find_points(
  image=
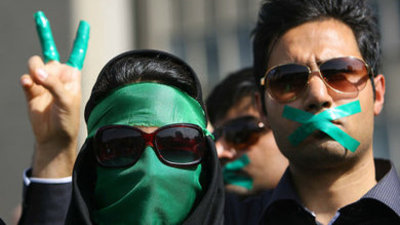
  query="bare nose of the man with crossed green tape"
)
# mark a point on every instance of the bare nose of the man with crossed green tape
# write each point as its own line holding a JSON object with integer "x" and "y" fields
{"x": 317, "y": 95}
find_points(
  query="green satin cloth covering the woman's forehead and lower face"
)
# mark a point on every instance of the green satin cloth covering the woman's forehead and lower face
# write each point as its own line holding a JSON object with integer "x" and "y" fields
{"x": 149, "y": 192}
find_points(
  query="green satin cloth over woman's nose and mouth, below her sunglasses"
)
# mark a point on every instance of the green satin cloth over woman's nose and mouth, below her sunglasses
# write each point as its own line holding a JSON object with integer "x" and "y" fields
{"x": 149, "y": 192}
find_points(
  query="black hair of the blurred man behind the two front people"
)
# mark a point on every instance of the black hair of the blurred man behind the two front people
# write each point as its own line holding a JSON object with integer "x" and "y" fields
{"x": 228, "y": 92}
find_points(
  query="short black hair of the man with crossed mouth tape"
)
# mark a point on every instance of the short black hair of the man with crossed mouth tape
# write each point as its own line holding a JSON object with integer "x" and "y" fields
{"x": 276, "y": 17}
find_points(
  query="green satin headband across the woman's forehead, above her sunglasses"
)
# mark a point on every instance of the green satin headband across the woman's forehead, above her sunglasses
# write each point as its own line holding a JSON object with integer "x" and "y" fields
{"x": 146, "y": 104}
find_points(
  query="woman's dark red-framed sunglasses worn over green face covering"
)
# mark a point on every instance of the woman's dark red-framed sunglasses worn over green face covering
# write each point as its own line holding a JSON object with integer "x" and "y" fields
{"x": 179, "y": 145}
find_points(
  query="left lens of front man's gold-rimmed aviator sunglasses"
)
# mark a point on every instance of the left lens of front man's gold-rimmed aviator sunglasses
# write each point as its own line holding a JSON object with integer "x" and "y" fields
{"x": 286, "y": 82}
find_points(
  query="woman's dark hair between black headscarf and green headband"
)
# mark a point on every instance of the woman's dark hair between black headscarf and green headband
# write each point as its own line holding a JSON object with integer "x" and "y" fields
{"x": 144, "y": 65}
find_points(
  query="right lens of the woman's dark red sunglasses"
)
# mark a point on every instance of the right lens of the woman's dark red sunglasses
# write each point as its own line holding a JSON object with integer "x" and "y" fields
{"x": 181, "y": 145}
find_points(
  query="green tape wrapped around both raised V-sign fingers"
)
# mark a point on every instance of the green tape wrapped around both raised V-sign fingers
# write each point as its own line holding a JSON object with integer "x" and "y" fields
{"x": 49, "y": 48}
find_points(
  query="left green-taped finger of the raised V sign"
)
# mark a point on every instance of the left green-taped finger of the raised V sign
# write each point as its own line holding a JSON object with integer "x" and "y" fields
{"x": 46, "y": 37}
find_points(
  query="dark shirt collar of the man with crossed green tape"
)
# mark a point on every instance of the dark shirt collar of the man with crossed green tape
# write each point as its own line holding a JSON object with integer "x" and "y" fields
{"x": 387, "y": 190}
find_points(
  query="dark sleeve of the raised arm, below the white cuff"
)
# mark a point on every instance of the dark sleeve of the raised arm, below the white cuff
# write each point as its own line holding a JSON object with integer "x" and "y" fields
{"x": 45, "y": 204}
